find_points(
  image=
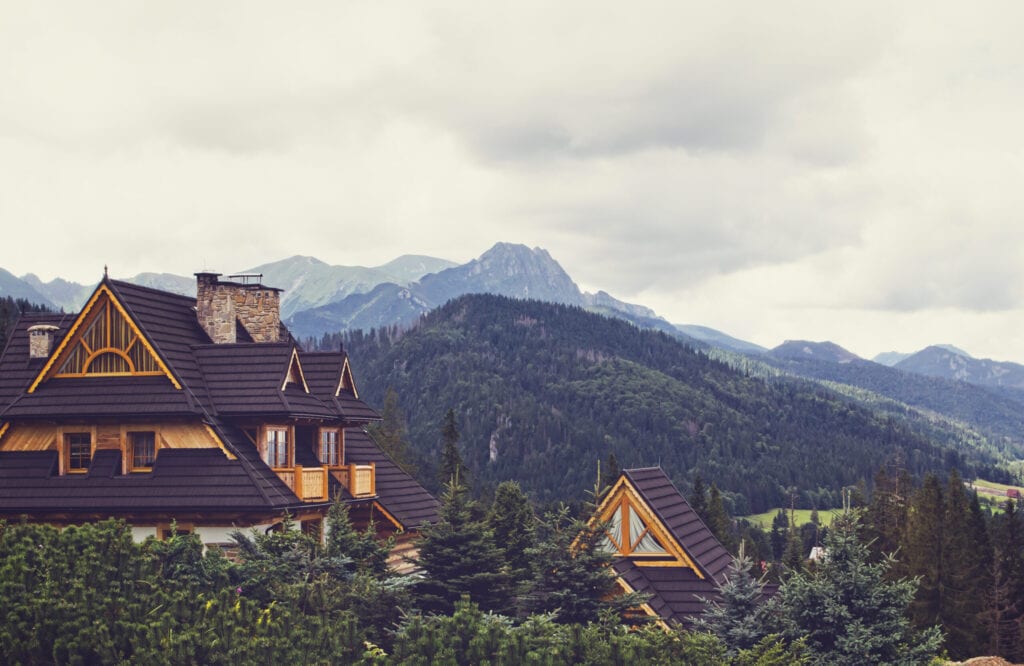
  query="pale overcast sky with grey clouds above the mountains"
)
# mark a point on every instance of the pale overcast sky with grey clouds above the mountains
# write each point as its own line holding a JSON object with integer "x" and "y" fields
{"x": 777, "y": 171}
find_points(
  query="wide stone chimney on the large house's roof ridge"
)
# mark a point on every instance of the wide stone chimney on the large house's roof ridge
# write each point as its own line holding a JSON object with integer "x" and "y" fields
{"x": 221, "y": 305}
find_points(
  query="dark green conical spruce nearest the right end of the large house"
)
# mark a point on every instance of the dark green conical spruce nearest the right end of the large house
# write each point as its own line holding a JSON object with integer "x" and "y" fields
{"x": 459, "y": 559}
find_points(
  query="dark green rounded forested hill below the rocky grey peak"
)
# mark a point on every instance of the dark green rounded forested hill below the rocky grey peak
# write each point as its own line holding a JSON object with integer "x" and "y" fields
{"x": 543, "y": 392}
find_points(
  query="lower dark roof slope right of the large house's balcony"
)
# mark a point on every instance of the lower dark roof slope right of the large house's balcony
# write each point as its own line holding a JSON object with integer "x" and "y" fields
{"x": 399, "y": 493}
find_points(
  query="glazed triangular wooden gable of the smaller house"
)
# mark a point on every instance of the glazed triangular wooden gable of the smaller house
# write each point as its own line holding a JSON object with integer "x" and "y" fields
{"x": 636, "y": 532}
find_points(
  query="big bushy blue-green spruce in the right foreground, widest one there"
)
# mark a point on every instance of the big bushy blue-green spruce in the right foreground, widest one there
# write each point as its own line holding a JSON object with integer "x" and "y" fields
{"x": 847, "y": 610}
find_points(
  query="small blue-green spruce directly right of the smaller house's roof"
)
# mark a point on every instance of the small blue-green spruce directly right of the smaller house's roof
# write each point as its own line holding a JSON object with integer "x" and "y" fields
{"x": 740, "y": 618}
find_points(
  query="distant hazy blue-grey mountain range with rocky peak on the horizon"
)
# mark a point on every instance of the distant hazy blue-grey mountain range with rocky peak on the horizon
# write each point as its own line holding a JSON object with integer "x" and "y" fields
{"x": 320, "y": 299}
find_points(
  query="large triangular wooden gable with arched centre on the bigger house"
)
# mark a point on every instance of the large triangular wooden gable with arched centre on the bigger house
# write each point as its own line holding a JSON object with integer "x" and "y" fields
{"x": 104, "y": 342}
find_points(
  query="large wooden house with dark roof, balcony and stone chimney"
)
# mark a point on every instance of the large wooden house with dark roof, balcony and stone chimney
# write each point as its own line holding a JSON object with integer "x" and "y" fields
{"x": 156, "y": 408}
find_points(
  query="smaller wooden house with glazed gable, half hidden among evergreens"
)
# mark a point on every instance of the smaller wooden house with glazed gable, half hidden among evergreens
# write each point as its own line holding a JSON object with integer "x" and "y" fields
{"x": 662, "y": 547}
